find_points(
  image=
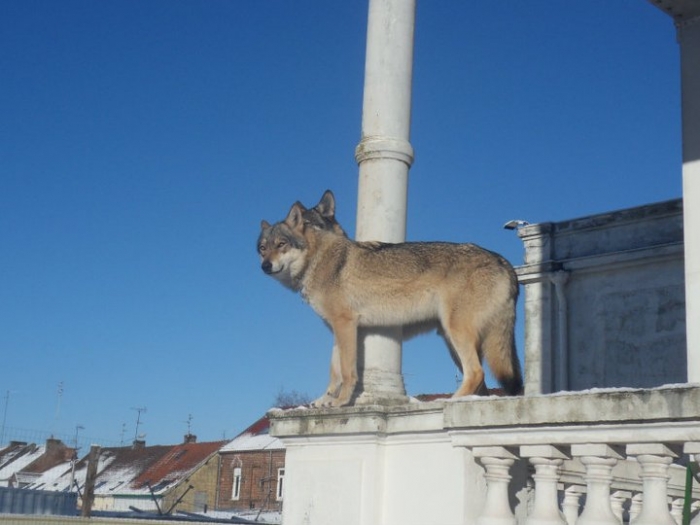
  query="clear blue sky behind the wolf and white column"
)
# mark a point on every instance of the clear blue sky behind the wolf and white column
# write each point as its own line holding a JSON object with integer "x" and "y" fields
{"x": 142, "y": 141}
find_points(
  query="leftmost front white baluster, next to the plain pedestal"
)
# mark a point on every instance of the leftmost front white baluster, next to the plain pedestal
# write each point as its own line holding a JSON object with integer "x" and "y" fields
{"x": 497, "y": 462}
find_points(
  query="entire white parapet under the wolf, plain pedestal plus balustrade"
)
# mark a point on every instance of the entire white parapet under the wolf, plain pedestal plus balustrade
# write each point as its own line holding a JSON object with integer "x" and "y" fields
{"x": 599, "y": 457}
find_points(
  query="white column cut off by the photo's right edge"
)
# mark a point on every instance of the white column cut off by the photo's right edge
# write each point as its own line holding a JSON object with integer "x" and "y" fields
{"x": 689, "y": 40}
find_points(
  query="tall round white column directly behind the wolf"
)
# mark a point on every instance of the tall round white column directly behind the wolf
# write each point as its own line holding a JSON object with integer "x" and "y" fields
{"x": 385, "y": 155}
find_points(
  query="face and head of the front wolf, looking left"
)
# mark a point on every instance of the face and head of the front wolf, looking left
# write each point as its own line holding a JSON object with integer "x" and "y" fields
{"x": 282, "y": 247}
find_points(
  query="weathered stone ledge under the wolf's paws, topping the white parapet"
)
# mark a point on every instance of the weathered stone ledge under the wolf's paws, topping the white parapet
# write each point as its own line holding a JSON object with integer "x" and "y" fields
{"x": 659, "y": 407}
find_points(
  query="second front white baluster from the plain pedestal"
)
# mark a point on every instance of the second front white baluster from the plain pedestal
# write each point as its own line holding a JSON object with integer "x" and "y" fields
{"x": 547, "y": 461}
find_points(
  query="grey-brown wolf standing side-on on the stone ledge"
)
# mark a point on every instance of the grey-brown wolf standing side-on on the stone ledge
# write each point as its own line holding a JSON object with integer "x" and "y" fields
{"x": 466, "y": 292}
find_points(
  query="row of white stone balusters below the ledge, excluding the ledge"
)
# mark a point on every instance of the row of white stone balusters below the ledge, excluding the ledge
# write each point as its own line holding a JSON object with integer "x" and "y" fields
{"x": 593, "y": 501}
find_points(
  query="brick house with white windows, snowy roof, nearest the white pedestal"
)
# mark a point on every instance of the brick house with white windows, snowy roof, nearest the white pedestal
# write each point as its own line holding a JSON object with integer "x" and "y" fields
{"x": 252, "y": 470}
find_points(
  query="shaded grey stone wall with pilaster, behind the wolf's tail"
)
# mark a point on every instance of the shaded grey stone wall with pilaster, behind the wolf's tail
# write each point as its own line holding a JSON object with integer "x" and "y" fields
{"x": 605, "y": 300}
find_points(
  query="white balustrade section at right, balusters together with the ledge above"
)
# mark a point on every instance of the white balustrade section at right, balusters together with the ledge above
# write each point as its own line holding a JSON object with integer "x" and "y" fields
{"x": 616, "y": 458}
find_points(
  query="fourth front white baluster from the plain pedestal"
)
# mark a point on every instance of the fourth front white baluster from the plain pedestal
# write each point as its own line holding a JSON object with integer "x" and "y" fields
{"x": 654, "y": 459}
